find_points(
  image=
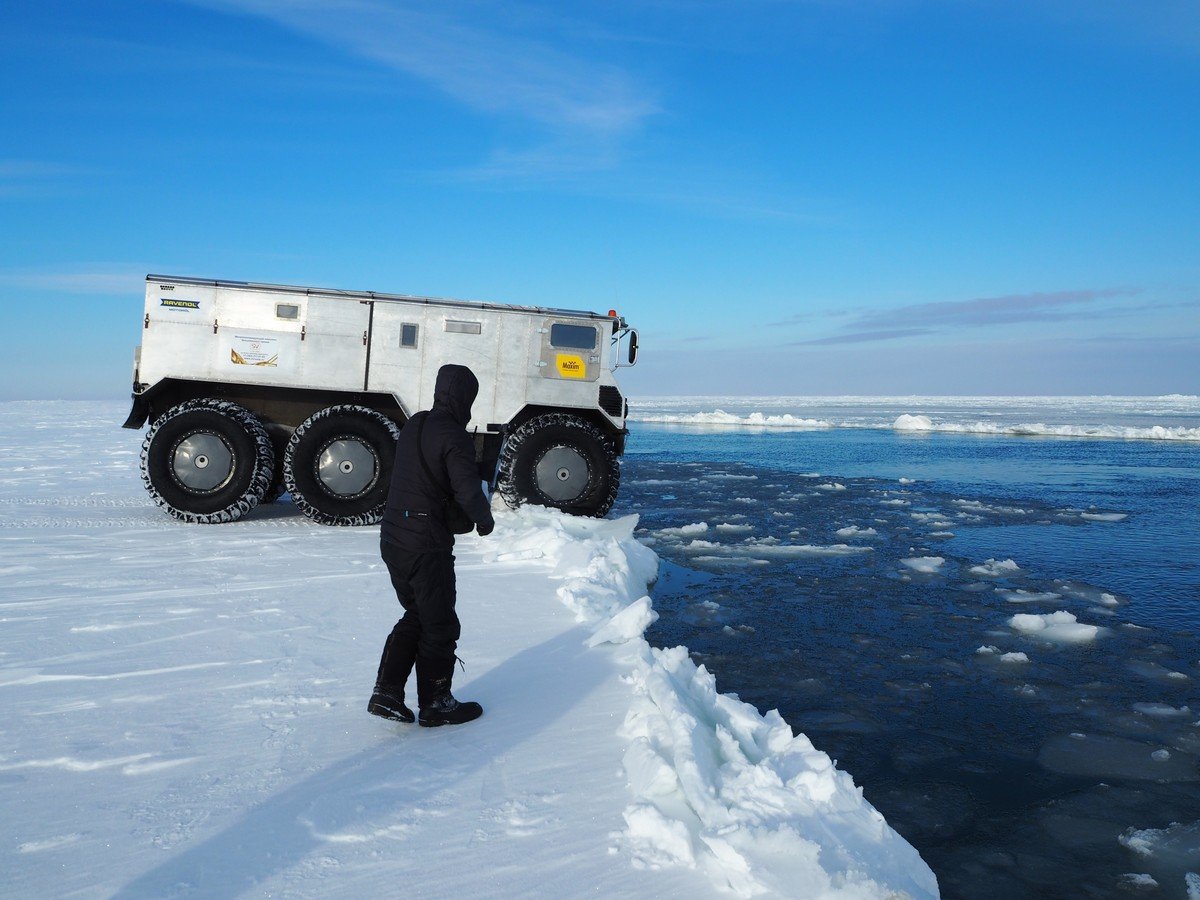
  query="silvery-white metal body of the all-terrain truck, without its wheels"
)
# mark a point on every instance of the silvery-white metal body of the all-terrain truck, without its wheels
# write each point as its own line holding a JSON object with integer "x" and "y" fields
{"x": 321, "y": 340}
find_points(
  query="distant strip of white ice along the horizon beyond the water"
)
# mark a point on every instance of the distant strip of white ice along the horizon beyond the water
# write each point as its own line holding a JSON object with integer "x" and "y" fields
{"x": 1174, "y": 417}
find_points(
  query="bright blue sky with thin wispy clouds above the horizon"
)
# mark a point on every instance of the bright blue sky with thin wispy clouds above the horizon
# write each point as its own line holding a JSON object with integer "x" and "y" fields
{"x": 785, "y": 197}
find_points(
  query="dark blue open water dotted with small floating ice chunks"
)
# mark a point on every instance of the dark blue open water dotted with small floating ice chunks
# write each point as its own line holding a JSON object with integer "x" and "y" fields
{"x": 1013, "y": 778}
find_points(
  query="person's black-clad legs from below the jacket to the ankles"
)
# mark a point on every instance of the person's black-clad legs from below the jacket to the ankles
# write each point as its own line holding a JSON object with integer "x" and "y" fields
{"x": 428, "y": 634}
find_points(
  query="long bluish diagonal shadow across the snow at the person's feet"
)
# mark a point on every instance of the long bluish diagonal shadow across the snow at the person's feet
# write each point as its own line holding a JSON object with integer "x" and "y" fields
{"x": 523, "y": 695}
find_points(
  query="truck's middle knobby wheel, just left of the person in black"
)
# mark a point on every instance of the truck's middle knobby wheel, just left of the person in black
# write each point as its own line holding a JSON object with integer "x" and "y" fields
{"x": 338, "y": 465}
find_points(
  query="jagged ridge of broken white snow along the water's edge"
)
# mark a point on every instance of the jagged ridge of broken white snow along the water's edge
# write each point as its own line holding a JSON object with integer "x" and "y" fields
{"x": 717, "y": 785}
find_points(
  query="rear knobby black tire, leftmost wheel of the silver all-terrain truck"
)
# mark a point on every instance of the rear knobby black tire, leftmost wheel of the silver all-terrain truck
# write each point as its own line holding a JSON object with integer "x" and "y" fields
{"x": 208, "y": 461}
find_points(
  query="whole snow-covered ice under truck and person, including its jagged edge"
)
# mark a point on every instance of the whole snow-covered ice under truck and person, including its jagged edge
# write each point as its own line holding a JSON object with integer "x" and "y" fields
{"x": 184, "y": 713}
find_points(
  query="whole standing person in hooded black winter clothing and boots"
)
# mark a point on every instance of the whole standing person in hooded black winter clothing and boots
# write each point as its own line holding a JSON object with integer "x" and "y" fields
{"x": 417, "y": 545}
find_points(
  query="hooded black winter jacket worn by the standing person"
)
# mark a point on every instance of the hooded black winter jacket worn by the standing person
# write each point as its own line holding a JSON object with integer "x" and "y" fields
{"x": 451, "y": 455}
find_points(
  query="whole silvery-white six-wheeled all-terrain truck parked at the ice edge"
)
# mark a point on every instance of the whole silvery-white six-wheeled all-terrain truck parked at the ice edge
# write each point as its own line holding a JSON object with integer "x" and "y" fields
{"x": 251, "y": 391}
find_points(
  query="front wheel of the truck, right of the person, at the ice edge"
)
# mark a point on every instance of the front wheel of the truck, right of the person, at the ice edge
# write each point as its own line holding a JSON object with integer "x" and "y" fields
{"x": 562, "y": 461}
